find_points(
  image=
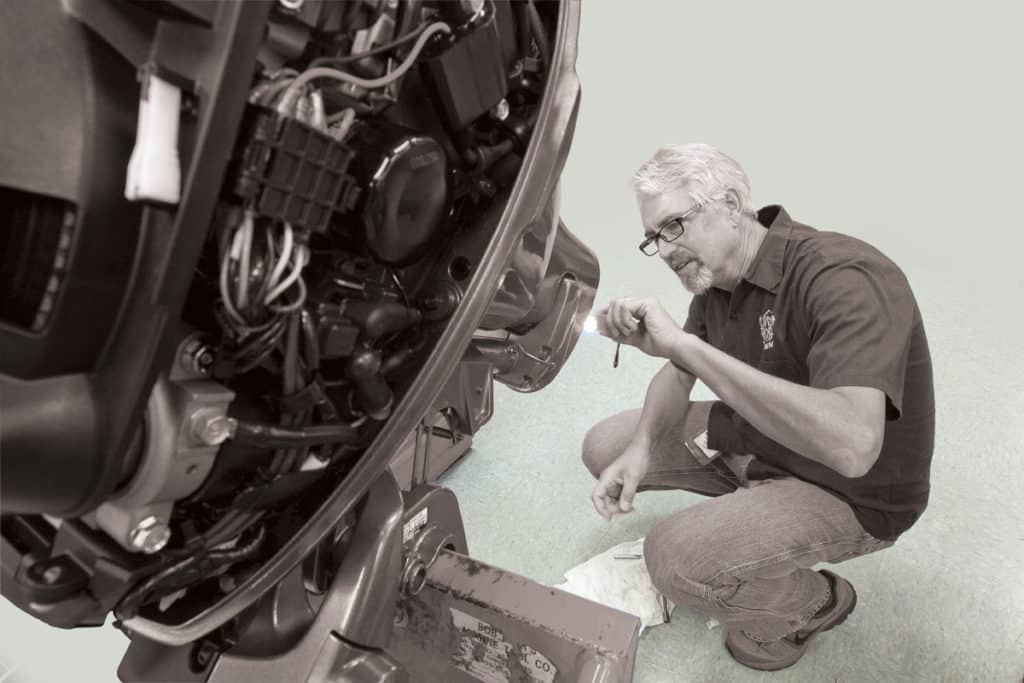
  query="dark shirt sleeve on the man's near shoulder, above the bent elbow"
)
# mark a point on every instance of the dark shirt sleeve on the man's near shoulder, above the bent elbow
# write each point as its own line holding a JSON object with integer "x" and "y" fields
{"x": 861, "y": 316}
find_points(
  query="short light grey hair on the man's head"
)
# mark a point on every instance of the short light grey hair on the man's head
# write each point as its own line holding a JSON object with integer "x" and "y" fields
{"x": 708, "y": 172}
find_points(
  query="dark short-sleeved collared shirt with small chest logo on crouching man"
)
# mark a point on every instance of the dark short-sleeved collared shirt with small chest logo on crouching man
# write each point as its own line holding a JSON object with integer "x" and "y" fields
{"x": 825, "y": 310}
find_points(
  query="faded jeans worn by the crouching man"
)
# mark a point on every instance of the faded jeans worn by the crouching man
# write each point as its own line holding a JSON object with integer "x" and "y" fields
{"x": 745, "y": 557}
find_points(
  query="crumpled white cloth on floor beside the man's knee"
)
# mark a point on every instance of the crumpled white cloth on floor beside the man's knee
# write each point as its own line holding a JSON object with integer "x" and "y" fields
{"x": 618, "y": 578}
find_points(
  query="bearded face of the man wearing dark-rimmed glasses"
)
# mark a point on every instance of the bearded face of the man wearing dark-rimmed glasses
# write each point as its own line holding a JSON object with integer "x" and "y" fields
{"x": 699, "y": 255}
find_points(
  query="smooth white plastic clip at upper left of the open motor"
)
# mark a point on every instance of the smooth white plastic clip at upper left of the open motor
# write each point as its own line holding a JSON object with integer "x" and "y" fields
{"x": 155, "y": 170}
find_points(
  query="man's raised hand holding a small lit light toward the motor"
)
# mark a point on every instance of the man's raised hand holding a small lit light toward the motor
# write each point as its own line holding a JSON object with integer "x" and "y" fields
{"x": 641, "y": 323}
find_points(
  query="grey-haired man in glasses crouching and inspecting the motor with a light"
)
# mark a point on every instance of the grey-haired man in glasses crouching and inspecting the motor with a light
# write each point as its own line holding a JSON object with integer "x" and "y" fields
{"x": 821, "y": 447}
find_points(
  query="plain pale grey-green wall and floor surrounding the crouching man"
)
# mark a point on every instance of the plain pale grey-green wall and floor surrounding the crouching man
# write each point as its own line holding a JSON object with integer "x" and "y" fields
{"x": 898, "y": 123}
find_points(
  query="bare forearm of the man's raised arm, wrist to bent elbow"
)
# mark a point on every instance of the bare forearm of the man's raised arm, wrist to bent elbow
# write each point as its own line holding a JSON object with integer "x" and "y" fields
{"x": 842, "y": 429}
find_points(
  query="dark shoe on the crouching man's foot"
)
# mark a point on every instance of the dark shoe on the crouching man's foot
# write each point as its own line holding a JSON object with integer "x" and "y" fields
{"x": 786, "y": 652}
